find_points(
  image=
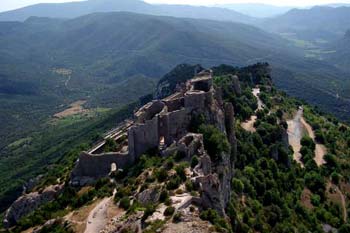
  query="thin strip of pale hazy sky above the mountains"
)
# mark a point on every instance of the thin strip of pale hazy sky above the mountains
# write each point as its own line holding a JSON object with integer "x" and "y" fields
{"x": 13, "y": 4}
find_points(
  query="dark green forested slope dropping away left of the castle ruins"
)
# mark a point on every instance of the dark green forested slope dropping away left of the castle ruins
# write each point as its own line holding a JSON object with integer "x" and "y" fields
{"x": 53, "y": 152}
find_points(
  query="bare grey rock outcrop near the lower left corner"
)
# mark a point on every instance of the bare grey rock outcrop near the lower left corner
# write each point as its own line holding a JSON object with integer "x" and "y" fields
{"x": 28, "y": 203}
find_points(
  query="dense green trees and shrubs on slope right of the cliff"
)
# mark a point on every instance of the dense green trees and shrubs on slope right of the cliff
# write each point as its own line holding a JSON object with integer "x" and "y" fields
{"x": 268, "y": 184}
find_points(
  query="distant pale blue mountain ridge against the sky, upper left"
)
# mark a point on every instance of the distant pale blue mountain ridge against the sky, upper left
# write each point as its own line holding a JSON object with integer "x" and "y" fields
{"x": 76, "y": 9}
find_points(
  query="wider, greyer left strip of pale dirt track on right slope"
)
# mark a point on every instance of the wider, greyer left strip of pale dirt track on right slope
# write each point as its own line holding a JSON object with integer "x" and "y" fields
{"x": 295, "y": 133}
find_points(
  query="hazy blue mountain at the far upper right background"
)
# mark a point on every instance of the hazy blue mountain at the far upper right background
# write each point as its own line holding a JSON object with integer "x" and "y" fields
{"x": 317, "y": 23}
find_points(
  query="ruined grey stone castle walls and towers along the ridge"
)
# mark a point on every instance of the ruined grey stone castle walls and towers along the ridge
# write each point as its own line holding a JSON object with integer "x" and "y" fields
{"x": 158, "y": 124}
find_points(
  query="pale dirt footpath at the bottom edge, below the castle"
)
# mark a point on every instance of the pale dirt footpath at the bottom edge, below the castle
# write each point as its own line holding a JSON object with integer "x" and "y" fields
{"x": 98, "y": 217}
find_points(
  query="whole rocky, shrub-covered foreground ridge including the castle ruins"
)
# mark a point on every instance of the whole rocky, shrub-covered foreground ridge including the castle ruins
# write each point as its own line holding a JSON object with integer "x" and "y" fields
{"x": 242, "y": 157}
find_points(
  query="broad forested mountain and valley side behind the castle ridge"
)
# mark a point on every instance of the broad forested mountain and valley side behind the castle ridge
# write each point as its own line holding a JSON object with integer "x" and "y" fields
{"x": 106, "y": 60}
